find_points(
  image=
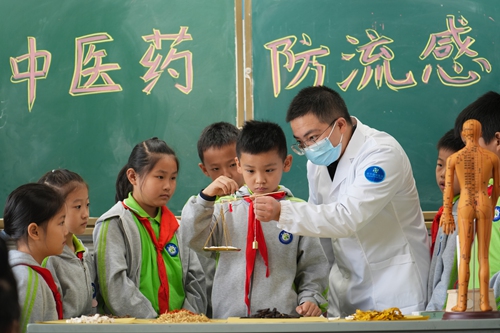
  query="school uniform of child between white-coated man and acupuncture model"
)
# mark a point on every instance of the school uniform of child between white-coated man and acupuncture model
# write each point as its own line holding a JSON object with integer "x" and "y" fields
{"x": 443, "y": 272}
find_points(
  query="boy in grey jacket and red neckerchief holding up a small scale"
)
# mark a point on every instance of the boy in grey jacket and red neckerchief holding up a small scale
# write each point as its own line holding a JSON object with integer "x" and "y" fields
{"x": 274, "y": 268}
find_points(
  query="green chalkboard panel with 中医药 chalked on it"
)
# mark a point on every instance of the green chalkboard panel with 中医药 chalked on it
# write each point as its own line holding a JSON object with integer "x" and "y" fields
{"x": 81, "y": 82}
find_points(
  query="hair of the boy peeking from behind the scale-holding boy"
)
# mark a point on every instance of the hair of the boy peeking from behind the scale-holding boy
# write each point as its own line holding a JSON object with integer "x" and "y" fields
{"x": 216, "y": 135}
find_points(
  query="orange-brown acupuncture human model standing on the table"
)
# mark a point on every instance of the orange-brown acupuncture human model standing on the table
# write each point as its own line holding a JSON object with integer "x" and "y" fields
{"x": 474, "y": 166}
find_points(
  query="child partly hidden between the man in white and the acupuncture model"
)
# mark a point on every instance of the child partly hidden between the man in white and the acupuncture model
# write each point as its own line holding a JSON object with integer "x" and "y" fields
{"x": 443, "y": 271}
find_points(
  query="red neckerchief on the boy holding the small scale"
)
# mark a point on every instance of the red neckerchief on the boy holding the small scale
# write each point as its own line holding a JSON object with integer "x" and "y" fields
{"x": 251, "y": 253}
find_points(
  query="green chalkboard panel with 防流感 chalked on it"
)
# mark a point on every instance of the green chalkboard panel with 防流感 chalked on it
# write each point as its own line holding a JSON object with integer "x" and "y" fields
{"x": 428, "y": 60}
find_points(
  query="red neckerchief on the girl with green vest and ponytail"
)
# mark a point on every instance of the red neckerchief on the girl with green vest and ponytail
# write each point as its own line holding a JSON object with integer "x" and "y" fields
{"x": 168, "y": 226}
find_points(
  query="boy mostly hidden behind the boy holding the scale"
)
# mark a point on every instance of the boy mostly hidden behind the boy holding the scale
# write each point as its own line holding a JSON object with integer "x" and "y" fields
{"x": 217, "y": 152}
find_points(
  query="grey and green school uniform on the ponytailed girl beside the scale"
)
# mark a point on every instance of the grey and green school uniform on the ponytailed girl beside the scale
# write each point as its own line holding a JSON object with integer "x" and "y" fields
{"x": 127, "y": 266}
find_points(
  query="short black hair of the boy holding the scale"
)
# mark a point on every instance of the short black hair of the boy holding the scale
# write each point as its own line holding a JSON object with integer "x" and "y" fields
{"x": 258, "y": 137}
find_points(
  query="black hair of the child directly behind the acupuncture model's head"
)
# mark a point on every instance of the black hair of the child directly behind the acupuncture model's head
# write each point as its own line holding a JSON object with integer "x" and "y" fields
{"x": 485, "y": 109}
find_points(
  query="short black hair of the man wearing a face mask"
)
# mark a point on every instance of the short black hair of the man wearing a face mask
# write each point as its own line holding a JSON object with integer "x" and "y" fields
{"x": 323, "y": 102}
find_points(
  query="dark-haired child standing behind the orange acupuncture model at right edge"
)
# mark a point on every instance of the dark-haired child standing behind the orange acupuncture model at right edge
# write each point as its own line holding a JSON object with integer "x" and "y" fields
{"x": 486, "y": 109}
